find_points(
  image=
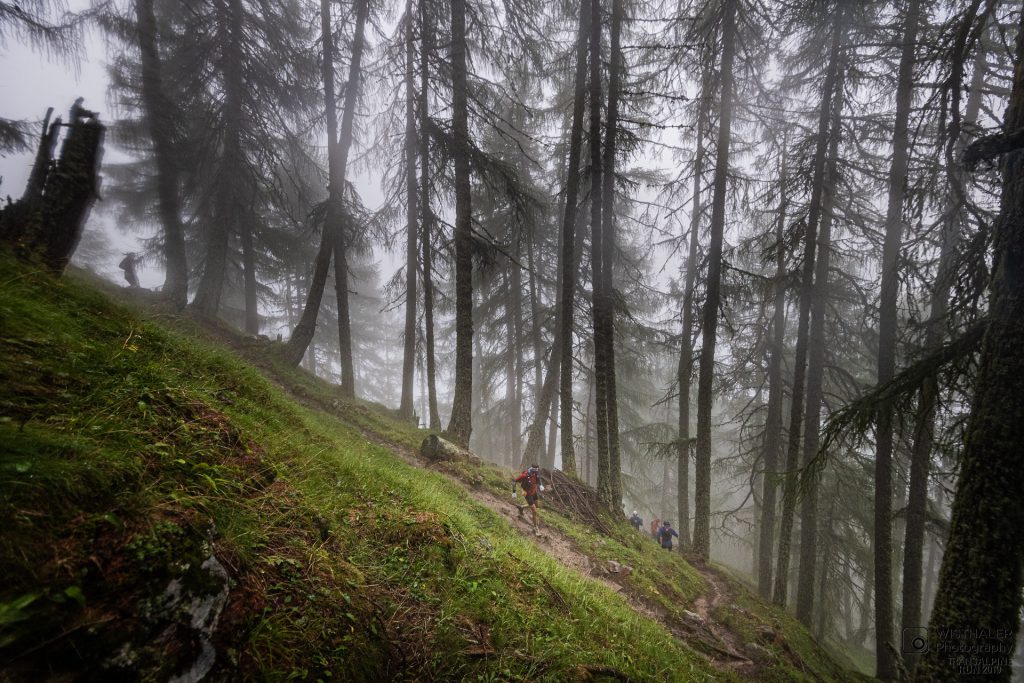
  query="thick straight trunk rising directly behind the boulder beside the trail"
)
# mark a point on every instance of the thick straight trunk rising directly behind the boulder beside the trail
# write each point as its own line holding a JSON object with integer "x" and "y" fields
{"x": 461, "y": 424}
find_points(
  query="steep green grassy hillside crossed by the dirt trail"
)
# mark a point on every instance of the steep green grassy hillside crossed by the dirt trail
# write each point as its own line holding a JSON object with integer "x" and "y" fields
{"x": 173, "y": 510}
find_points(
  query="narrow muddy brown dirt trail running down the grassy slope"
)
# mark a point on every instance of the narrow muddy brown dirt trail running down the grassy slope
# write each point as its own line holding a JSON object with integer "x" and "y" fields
{"x": 701, "y": 629}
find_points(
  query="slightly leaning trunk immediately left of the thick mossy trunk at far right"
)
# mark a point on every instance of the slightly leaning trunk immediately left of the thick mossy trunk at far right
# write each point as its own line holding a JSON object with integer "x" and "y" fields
{"x": 924, "y": 431}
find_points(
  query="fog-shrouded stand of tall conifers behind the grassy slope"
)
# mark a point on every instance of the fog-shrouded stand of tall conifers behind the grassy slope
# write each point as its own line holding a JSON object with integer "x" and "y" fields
{"x": 752, "y": 267}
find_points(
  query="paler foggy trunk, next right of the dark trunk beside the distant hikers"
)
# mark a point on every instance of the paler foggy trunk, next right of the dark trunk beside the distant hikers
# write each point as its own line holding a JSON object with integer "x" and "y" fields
{"x": 777, "y": 396}
